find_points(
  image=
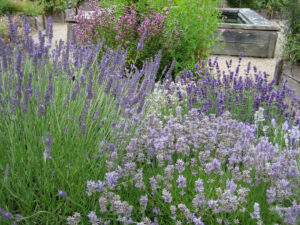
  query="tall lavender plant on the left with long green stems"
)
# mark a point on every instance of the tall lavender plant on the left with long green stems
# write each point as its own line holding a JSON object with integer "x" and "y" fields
{"x": 57, "y": 104}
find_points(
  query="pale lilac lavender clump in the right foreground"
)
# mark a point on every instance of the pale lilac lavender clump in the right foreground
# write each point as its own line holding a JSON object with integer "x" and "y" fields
{"x": 220, "y": 148}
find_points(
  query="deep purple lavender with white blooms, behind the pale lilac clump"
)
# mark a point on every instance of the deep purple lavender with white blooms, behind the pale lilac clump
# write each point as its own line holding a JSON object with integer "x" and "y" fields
{"x": 242, "y": 93}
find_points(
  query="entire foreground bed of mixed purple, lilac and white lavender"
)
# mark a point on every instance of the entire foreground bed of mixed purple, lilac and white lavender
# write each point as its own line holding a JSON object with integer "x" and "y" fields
{"x": 79, "y": 145}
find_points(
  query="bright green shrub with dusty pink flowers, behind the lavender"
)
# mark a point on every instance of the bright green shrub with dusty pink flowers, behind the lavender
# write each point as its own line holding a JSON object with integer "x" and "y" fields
{"x": 183, "y": 30}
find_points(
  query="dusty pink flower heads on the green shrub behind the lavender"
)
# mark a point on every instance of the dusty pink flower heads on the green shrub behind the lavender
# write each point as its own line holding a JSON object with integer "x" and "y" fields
{"x": 125, "y": 29}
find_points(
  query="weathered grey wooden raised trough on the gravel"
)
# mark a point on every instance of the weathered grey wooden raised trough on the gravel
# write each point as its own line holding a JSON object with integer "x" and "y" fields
{"x": 256, "y": 38}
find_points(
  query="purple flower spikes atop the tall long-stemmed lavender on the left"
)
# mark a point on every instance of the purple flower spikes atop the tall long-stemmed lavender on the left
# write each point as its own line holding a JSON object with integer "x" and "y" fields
{"x": 69, "y": 61}
